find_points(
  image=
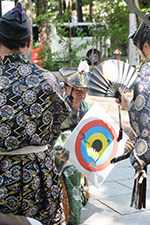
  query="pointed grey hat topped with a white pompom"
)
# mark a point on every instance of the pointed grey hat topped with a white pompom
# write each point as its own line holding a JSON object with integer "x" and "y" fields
{"x": 76, "y": 77}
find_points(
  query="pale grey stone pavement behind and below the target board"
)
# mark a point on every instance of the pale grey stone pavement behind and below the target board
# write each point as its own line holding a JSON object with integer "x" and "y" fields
{"x": 110, "y": 204}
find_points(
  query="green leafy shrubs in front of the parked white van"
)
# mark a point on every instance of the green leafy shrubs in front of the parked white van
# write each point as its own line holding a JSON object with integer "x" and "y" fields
{"x": 68, "y": 56}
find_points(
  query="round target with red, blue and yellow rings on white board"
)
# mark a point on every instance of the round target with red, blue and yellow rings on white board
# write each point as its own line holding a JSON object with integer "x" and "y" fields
{"x": 95, "y": 145}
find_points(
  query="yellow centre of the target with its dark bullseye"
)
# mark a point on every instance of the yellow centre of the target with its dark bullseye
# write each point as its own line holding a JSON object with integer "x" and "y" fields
{"x": 96, "y": 145}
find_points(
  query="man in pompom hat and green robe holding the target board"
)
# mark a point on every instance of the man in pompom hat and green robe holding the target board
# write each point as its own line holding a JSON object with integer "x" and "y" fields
{"x": 75, "y": 88}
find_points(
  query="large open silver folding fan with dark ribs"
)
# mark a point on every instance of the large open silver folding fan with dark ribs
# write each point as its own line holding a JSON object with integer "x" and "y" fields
{"x": 109, "y": 75}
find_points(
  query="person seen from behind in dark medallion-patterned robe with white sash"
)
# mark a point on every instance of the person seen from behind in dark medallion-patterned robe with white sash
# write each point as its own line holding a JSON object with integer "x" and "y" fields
{"x": 31, "y": 113}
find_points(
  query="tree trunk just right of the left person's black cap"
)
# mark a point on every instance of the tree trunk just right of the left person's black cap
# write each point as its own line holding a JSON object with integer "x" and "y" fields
{"x": 43, "y": 24}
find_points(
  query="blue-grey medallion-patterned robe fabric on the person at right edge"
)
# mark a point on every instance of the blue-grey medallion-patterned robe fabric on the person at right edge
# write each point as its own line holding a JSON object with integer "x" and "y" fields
{"x": 139, "y": 113}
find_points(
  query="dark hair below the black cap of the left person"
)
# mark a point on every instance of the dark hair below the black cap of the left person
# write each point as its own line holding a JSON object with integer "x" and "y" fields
{"x": 14, "y": 44}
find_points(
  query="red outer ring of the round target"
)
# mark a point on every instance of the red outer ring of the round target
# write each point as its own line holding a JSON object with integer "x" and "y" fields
{"x": 78, "y": 153}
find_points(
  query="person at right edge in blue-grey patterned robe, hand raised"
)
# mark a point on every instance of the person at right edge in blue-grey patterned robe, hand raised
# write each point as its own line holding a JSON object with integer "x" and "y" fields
{"x": 139, "y": 114}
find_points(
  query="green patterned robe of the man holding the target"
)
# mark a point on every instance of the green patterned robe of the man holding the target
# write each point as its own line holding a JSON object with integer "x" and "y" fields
{"x": 71, "y": 176}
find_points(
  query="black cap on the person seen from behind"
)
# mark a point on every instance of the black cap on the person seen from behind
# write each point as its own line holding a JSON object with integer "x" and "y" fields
{"x": 14, "y": 24}
